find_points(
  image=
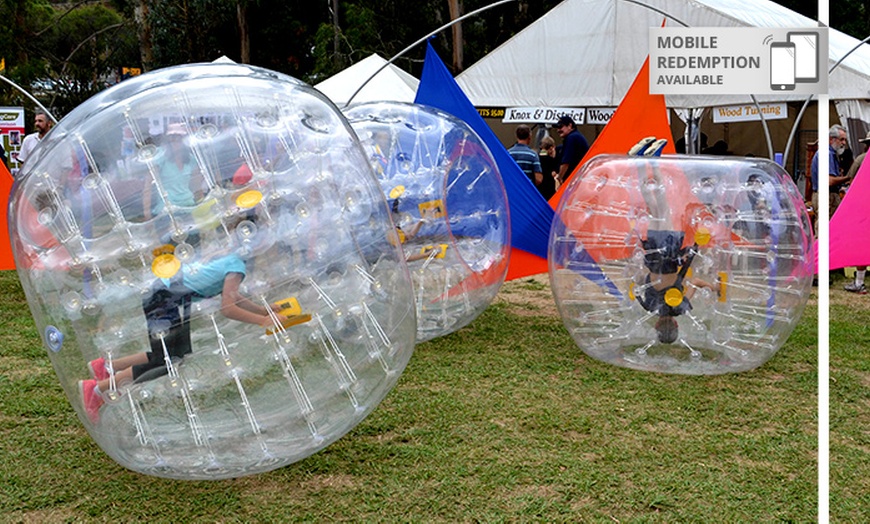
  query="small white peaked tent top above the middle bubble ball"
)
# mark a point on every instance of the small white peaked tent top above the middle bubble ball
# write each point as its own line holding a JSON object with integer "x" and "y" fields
{"x": 391, "y": 83}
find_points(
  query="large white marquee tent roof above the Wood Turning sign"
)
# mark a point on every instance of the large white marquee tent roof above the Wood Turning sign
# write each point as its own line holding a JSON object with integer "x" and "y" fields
{"x": 586, "y": 53}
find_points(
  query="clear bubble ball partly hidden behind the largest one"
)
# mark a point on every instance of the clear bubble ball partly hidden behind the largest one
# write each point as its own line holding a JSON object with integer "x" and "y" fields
{"x": 449, "y": 205}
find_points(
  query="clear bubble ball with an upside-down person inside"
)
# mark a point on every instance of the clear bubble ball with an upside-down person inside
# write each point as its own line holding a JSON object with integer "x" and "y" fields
{"x": 681, "y": 264}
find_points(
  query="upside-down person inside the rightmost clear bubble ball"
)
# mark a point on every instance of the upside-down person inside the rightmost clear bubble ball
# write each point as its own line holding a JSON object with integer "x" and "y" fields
{"x": 667, "y": 290}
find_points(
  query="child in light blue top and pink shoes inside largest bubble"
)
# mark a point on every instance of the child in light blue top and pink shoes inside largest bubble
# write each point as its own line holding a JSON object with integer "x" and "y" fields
{"x": 167, "y": 314}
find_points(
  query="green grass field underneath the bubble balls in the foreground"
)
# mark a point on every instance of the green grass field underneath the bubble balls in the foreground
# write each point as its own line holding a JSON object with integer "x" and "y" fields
{"x": 503, "y": 421}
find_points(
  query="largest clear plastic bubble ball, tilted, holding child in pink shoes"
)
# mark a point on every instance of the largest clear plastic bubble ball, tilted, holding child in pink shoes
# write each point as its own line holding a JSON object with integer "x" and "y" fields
{"x": 149, "y": 183}
